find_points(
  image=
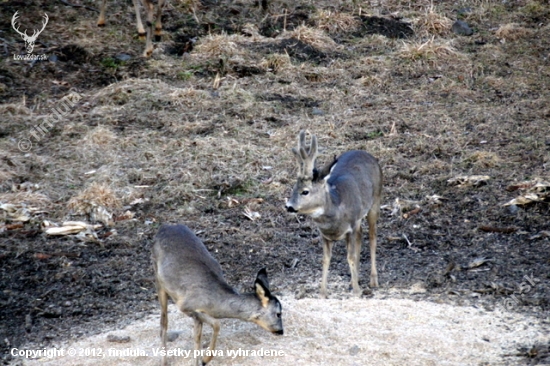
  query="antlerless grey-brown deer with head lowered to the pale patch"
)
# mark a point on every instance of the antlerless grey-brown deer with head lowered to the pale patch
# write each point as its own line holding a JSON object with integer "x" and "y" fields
{"x": 185, "y": 271}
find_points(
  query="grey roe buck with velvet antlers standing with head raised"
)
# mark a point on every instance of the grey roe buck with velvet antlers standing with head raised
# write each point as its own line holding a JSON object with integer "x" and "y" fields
{"x": 337, "y": 198}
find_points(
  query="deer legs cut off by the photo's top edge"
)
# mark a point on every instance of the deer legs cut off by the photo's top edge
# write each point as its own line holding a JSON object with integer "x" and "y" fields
{"x": 149, "y": 9}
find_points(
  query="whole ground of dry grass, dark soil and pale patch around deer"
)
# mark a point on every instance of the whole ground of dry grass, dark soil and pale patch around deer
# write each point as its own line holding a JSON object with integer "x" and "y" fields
{"x": 201, "y": 132}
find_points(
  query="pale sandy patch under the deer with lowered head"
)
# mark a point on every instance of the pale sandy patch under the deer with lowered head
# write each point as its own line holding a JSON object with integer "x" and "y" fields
{"x": 335, "y": 332}
